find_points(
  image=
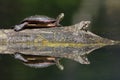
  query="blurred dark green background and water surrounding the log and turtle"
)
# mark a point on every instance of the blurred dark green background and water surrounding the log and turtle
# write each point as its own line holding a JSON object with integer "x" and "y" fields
{"x": 105, "y": 18}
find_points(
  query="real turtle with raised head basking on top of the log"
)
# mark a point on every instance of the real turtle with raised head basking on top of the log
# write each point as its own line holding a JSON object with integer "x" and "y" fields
{"x": 39, "y": 21}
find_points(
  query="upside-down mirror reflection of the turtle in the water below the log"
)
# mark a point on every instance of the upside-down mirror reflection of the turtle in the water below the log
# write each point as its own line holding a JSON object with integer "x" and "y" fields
{"x": 37, "y": 61}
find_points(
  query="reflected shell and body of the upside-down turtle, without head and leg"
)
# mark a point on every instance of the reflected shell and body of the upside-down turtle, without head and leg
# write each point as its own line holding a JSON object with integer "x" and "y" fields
{"x": 40, "y": 61}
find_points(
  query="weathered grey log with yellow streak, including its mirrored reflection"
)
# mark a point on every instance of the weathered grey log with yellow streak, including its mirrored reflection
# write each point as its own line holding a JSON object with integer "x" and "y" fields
{"x": 72, "y": 42}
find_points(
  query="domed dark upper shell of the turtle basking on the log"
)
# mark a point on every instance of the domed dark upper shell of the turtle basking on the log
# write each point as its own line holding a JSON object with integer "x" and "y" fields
{"x": 39, "y": 19}
